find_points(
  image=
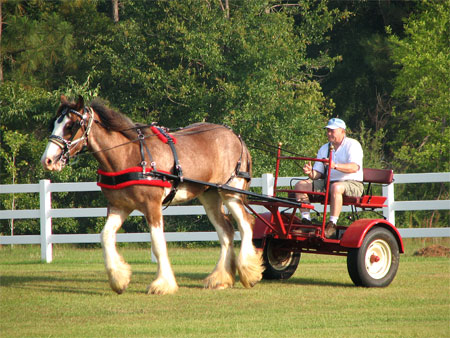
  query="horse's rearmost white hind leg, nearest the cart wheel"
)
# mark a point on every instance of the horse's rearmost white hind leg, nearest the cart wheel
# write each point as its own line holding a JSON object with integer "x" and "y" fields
{"x": 249, "y": 263}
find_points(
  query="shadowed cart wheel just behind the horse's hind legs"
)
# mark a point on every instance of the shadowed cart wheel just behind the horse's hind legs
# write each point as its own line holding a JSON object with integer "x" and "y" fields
{"x": 279, "y": 263}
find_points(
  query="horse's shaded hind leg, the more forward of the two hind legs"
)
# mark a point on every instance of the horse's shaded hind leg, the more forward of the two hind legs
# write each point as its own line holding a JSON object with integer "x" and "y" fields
{"x": 223, "y": 275}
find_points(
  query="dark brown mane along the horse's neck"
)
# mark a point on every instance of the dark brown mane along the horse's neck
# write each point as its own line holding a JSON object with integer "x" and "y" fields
{"x": 113, "y": 120}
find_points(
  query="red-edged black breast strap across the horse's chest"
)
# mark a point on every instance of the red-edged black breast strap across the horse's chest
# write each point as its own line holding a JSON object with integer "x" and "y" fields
{"x": 128, "y": 177}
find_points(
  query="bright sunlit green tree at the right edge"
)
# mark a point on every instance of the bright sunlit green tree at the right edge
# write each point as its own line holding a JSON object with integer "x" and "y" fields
{"x": 422, "y": 116}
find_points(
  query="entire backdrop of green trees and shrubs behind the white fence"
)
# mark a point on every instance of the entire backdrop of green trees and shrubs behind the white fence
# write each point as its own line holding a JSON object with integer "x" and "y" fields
{"x": 273, "y": 71}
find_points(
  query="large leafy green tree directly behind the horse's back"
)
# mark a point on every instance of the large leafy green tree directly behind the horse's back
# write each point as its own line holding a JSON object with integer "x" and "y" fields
{"x": 246, "y": 65}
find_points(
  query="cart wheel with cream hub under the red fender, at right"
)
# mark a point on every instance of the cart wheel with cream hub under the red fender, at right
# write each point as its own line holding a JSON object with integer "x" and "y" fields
{"x": 375, "y": 263}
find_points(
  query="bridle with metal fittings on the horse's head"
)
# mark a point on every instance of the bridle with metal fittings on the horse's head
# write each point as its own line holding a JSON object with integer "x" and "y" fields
{"x": 86, "y": 119}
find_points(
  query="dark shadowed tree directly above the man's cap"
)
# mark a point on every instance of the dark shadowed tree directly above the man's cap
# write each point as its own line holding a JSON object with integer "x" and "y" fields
{"x": 361, "y": 83}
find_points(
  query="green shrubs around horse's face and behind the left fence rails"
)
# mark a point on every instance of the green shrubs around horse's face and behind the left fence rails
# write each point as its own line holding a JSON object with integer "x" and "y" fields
{"x": 25, "y": 116}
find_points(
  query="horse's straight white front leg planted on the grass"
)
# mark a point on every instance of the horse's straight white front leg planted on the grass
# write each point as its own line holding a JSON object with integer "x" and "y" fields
{"x": 165, "y": 282}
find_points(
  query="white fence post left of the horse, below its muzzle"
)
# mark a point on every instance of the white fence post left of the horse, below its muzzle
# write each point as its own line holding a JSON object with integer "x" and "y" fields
{"x": 46, "y": 221}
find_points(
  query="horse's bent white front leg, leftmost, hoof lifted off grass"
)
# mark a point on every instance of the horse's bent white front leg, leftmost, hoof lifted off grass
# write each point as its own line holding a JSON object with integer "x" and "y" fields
{"x": 119, "y": 272}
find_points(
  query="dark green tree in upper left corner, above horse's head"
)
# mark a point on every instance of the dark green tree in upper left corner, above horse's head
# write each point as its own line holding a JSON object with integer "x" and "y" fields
{"x": 43, "y": 42}
